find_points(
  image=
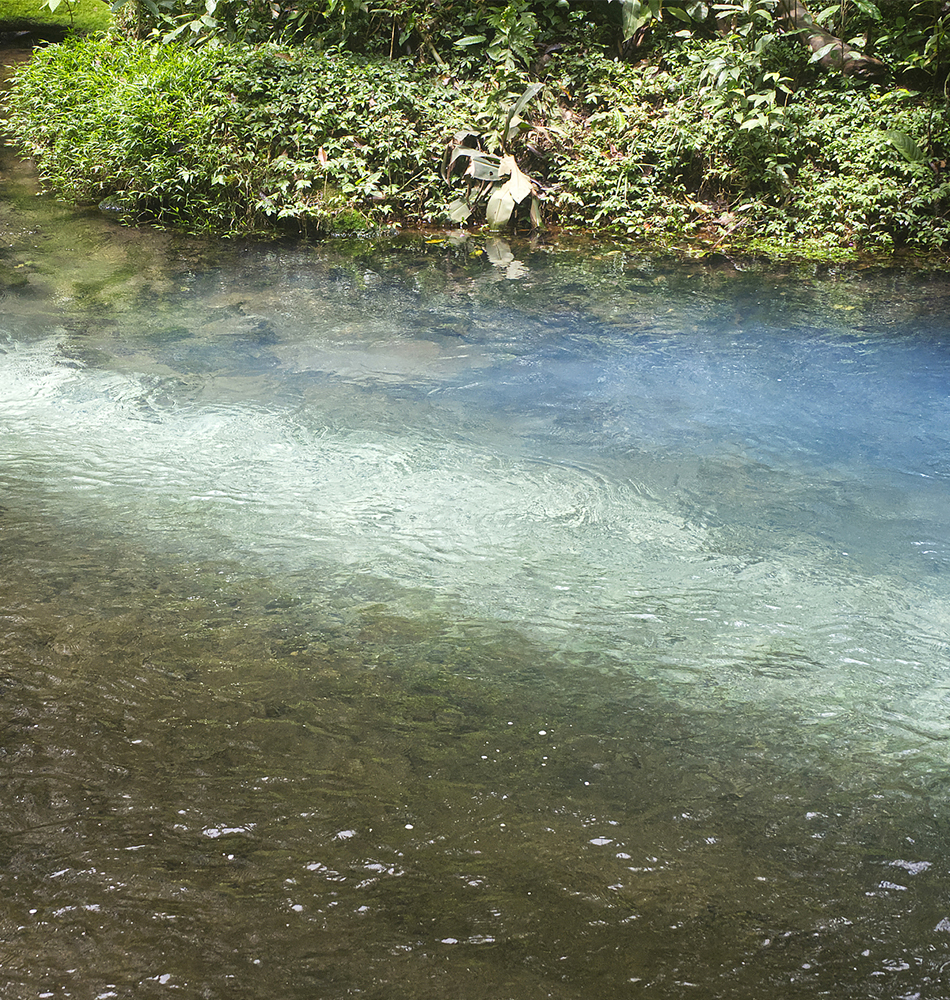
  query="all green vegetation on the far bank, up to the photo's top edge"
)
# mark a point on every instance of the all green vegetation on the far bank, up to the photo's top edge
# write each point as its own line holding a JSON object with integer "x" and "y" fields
{"x": 719, "y": 128}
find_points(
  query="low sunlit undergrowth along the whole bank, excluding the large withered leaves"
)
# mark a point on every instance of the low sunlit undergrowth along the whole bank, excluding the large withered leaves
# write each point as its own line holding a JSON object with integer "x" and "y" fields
{"x": 698, "y": 142}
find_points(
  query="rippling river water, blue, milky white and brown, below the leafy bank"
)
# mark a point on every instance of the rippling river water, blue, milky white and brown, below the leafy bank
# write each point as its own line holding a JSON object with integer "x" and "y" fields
{"x": 449, "y": 619}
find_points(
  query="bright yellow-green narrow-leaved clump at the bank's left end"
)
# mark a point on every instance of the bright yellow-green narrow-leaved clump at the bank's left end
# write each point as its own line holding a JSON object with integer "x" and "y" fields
{"x": 129, "y": 120}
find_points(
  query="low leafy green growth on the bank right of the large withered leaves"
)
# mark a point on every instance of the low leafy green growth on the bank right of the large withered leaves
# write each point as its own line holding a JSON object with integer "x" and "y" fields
{"x": 748, "y": 155}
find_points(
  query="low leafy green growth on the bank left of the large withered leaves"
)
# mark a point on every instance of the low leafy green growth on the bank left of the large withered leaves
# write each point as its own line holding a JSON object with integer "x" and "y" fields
{"x": 230, "y": 139}
